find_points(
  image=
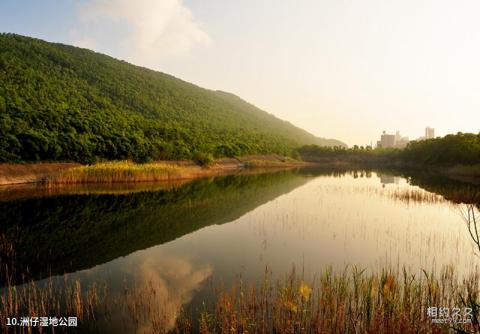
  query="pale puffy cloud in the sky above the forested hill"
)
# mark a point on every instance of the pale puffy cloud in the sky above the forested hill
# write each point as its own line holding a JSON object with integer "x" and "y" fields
{"x": 146, "y": 31}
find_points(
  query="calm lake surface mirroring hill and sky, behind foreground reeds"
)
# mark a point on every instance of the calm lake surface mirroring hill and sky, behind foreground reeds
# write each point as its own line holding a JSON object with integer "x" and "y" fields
{"x": 191, "y": 237}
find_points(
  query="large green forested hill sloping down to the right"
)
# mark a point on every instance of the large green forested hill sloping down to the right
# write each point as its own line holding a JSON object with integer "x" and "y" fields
{"x": 59, "y": 102}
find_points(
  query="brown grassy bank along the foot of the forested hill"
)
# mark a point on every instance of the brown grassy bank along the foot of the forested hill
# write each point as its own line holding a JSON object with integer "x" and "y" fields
{"x": 68, "y": 173}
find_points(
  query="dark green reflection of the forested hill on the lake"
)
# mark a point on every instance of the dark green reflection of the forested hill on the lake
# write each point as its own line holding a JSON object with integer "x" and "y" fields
{"x": 69, "y": 233}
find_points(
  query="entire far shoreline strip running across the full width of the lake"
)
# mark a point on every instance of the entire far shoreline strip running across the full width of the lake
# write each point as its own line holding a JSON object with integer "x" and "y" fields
{"x": 56, "y": 174}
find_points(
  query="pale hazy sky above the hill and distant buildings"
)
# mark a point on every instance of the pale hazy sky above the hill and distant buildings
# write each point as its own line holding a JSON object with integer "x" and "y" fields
{"x": 340, "y": 69}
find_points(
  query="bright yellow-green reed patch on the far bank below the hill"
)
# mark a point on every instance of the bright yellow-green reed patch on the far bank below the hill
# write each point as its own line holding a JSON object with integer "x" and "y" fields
{"x": 121, "y": 171}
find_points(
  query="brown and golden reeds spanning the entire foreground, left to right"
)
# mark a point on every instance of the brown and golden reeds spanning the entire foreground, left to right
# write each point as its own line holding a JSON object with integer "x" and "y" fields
{"x": 351, "y": 301}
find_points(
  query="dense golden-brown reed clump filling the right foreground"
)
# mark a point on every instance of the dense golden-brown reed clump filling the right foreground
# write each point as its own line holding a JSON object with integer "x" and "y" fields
{"x": 348, "y": 302}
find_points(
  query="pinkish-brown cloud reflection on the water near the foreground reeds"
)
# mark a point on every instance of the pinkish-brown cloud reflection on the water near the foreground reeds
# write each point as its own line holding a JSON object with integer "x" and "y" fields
{"x": 168, "y": 283}
